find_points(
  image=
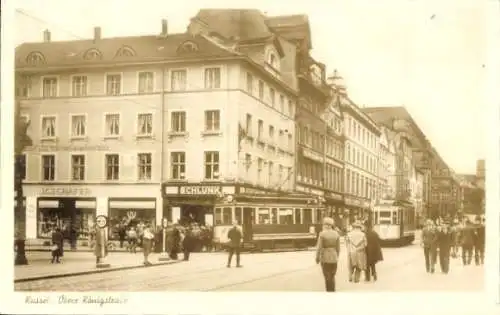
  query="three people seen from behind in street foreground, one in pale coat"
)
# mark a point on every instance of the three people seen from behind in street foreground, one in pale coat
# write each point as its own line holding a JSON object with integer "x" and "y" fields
{"x": 363, "y": 252}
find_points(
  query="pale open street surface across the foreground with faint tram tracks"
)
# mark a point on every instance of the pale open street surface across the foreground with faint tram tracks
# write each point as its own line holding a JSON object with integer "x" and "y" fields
{"x": 402, "y": 270}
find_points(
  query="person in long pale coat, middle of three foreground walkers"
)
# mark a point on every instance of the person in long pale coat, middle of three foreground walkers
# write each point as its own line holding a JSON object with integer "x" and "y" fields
{"x": 356, "y": 248}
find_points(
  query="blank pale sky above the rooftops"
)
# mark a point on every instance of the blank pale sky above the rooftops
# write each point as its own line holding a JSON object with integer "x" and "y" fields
{"x": 429, "y": 56}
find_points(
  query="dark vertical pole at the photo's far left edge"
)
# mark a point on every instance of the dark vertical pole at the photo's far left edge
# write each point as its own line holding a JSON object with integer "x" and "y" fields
{"x": 21, "y": 141}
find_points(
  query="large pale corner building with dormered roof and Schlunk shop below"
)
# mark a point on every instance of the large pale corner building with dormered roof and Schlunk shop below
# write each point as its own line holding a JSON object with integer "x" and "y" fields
{"x": 208, "y": 121}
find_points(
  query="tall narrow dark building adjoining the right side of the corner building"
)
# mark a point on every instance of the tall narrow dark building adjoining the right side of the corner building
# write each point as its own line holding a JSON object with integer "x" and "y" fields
{"x": 314, "y": 143}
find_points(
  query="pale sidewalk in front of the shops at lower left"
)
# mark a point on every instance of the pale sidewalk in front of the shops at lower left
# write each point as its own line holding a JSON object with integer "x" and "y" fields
{"x": 78, "y": 263}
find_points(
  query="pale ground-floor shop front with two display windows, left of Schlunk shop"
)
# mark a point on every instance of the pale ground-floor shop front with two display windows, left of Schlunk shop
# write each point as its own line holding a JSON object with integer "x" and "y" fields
{"x": 73, "y": 208}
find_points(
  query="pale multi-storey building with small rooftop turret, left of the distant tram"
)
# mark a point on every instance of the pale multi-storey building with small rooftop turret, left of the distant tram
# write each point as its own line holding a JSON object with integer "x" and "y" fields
{"x": 360, "y": 154}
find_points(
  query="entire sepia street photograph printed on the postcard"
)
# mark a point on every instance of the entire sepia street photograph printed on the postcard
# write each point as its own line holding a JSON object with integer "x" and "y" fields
{"x": 256, "y": 146}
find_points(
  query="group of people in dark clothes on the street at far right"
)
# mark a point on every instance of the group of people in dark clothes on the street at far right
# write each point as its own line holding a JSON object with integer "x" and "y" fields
{"x": 444, "y": 239}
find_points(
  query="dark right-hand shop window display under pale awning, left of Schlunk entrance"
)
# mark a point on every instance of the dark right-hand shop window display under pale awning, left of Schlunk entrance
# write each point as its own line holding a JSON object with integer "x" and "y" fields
{"x": 129, "y": 218}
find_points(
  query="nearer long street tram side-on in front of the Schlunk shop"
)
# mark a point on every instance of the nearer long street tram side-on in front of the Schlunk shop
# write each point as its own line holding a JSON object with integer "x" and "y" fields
{"x": 269, "y": 226}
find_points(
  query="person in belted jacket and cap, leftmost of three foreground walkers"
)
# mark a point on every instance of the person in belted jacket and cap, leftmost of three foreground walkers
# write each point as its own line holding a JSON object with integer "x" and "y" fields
{"x": 327, "y": 252}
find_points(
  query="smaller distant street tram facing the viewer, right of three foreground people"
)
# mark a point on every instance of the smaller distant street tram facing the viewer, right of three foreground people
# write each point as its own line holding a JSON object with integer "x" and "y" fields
{"x": 394, "y": 222}
